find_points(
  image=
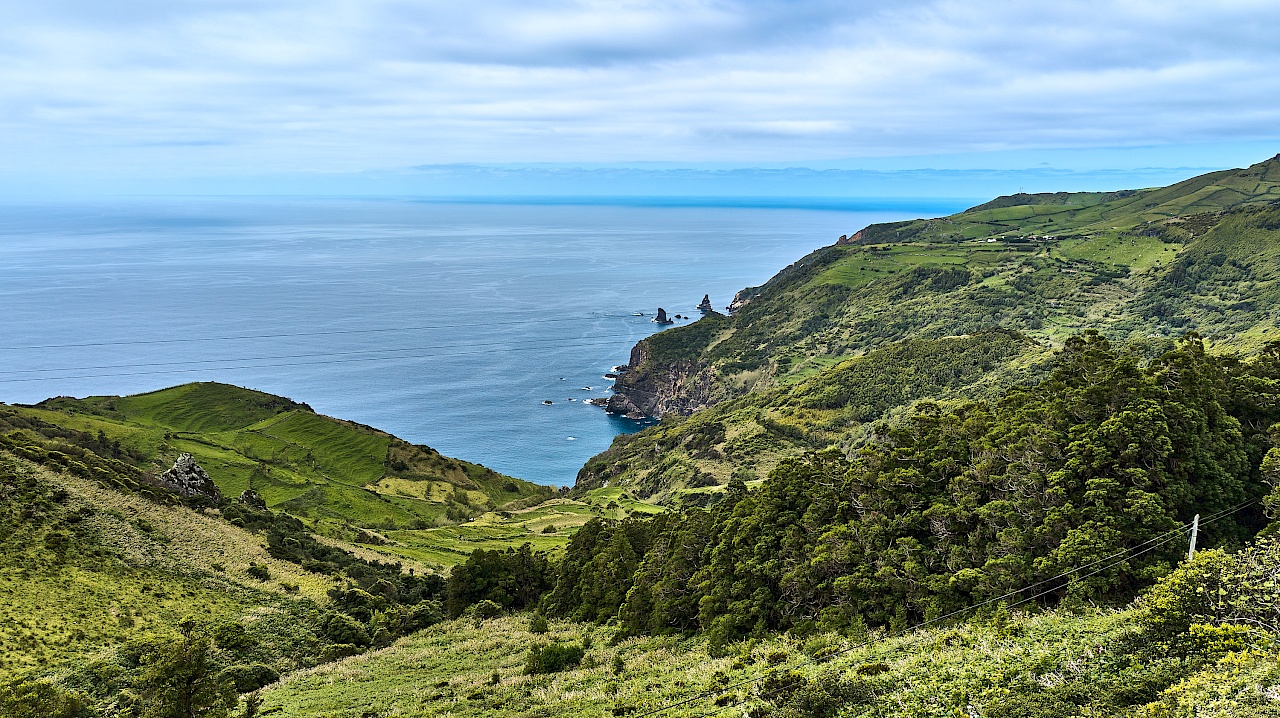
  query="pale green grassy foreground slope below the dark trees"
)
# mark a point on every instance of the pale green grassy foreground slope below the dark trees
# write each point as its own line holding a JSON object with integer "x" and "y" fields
{"x": 1003, "y": 665}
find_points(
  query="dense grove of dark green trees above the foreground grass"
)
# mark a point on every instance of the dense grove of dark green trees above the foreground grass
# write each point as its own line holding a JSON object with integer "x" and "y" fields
{"x": 952, "y": 506}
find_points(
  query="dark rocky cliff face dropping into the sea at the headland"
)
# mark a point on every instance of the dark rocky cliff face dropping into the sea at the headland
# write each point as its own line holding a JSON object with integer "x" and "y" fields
{"x": 682, "y": 387}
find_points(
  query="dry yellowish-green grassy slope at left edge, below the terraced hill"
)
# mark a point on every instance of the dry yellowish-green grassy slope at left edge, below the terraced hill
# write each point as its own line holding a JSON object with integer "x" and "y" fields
{"x": 86, "y": 568}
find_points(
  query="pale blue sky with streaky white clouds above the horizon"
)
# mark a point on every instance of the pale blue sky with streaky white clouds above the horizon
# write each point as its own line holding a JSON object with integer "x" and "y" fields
{"x": 687, "y": 97}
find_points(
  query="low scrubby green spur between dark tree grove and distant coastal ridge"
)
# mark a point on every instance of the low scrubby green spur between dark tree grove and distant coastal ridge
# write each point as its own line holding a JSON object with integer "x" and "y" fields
{"x": 691, "y": 459}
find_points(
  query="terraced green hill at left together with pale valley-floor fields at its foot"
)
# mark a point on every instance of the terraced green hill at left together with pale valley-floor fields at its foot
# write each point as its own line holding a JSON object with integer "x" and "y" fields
{"x": 346, "y": 481}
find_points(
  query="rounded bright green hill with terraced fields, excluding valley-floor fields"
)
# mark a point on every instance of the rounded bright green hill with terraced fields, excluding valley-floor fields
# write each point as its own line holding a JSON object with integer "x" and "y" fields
{"x": 337, "y": 475}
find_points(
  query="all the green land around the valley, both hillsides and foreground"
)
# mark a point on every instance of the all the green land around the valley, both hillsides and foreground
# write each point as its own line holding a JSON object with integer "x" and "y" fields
{"x": 940, "y": 468}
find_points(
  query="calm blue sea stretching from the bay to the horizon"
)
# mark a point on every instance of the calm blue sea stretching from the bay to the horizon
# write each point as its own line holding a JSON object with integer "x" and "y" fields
{"x": 447, "y": 324}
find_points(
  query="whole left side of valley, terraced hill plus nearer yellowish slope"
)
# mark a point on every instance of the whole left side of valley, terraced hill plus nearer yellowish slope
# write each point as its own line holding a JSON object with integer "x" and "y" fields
{"x": 122, "y": 597}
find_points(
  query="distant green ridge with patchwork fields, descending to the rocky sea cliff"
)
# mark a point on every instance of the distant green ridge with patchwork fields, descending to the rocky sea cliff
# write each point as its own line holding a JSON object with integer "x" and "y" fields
{"x": 1048, "y": 266}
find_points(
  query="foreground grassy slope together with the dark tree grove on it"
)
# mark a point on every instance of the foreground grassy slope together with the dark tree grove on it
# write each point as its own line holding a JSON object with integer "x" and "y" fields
{"x": 1021, "y": 557}
